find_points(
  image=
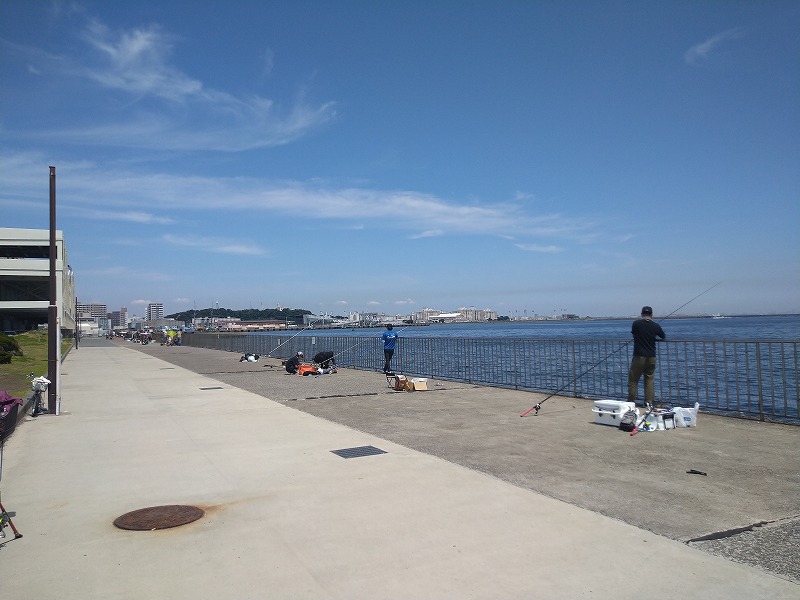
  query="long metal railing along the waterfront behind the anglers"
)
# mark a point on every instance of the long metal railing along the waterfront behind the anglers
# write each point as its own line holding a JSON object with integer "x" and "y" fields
{"x": 749, "y": 378}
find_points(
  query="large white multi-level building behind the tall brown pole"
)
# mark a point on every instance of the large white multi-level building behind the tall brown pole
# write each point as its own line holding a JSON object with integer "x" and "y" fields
{"x": 25, "y": 280}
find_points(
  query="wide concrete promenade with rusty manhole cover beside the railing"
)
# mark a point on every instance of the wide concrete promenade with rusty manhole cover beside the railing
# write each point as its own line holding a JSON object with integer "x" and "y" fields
{"x": 468, "y": 501}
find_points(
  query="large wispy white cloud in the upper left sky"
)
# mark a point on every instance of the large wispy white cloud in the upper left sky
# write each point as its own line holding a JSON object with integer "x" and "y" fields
{"x": 164, "y": 107}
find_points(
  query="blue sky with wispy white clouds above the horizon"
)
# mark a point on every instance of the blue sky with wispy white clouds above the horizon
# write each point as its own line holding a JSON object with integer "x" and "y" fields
{"x": 587, "y": 157}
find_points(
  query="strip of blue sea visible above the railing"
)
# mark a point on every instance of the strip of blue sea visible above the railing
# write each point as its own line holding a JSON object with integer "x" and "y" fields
{"x": 786, "y": 328}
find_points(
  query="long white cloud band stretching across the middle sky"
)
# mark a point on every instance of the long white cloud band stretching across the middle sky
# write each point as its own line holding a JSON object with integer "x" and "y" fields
{"x": 127, "y": 195}
